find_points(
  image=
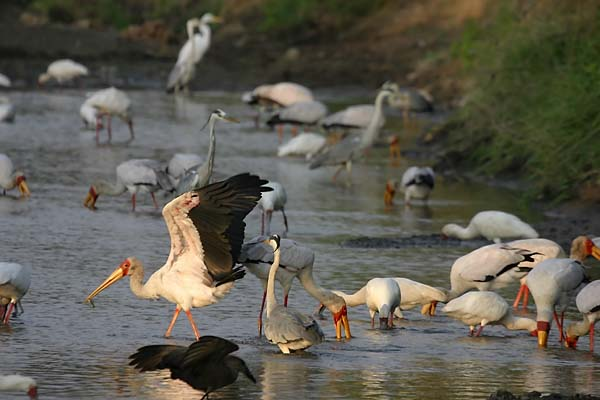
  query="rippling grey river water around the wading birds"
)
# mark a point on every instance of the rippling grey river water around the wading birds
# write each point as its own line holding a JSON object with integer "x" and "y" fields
{"x": 75, "y": 351}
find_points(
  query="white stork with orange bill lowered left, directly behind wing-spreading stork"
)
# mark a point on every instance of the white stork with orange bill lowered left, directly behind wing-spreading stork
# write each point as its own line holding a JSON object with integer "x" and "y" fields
{"x": 134, "y": 176}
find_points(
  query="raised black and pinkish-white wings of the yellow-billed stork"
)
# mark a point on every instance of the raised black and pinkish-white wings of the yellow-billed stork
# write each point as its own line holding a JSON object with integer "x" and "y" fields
{"x": 210, "y": 221}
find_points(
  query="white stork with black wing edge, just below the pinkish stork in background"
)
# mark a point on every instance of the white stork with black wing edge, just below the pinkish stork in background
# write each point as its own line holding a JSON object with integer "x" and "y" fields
{"x": 303, "y": 113}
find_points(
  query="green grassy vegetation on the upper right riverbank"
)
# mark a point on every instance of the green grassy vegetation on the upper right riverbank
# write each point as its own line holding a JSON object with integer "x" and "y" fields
{"x": 535, "y": 109}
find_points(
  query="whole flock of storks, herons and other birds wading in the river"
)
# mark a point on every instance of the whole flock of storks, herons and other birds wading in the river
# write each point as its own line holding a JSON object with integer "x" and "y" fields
{"x": 205, "y": 220}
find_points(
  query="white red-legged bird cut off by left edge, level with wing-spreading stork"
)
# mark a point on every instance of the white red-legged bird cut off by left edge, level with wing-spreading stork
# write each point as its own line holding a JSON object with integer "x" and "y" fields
{"x": 14, "y": 283}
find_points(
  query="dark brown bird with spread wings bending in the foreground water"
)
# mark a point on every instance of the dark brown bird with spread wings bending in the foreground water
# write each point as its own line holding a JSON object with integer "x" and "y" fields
{"x": 205, "y": 365}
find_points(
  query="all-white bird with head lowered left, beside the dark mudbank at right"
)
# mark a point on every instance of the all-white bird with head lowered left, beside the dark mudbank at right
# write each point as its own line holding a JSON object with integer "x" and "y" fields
{"x": 493, "y": 225}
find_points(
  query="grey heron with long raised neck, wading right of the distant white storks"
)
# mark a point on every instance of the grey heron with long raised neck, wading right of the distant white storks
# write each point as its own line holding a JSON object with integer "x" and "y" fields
{"x": 353, "y": 146}
